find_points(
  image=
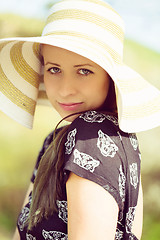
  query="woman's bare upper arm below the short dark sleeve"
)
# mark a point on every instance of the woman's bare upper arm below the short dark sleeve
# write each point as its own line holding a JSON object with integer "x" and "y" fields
{"x": 92, "y": 211}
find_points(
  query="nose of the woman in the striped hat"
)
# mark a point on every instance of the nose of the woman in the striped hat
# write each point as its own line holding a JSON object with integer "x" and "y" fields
{"x": 67, "y": 87}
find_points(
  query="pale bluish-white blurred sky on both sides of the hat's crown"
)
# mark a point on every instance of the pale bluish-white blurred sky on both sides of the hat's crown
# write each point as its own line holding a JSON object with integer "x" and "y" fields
{"x": 142, "y": 17}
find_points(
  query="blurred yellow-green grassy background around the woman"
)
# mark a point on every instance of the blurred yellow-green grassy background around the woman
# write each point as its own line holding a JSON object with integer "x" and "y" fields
{"x": 19, "y": 146}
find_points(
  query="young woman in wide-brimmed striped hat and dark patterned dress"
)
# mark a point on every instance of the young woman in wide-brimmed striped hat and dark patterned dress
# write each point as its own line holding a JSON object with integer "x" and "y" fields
{"x": 86, "y": 182}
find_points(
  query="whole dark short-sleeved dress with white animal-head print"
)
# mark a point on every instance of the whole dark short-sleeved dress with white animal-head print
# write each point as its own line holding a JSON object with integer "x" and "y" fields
{"x": 95, "y": 149}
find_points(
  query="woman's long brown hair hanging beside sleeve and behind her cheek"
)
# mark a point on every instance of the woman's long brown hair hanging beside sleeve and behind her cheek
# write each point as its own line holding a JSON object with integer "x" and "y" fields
{"x": 49, "y": 181}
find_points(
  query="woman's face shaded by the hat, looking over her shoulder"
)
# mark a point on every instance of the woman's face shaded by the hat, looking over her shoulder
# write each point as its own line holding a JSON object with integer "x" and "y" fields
{"x": 73, "y": 83}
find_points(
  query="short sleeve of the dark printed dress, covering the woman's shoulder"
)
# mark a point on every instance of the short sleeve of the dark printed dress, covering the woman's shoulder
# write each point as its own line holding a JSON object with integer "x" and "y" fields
{"x": 93, "y": 150}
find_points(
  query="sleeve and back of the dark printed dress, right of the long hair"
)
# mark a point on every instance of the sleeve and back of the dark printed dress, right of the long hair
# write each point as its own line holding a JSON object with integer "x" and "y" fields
{"x": 99, "y": 151}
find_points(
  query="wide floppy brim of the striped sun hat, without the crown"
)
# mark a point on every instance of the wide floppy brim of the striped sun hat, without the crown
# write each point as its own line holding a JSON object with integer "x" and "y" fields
{"x": 21, "y": 81}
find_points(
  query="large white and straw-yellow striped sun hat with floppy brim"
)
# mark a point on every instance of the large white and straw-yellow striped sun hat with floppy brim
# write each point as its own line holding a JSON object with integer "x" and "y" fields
{"x": 93, "y": 29}
